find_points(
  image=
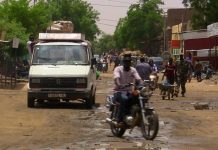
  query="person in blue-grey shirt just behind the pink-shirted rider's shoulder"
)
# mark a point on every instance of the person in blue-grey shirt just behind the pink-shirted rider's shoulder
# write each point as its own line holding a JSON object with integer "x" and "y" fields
{"x": 143, "y": 69}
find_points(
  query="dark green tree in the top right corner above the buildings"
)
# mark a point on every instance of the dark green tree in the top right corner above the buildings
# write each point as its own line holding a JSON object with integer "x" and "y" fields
{"x": 205, "y": 12}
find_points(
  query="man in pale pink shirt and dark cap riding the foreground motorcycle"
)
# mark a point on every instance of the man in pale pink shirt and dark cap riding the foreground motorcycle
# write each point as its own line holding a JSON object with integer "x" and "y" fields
{"x": 124, "y": 75}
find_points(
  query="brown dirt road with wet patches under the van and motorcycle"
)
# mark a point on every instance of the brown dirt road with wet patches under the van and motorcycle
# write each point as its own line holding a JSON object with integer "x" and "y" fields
{"x": 71, "y": 126}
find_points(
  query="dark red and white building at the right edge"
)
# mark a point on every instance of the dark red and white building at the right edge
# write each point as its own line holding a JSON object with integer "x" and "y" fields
{"x": 201, "y": 46}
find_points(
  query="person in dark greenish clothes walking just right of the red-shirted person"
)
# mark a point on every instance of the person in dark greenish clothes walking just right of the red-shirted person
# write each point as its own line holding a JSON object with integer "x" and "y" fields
{"x": 182, "y": 74}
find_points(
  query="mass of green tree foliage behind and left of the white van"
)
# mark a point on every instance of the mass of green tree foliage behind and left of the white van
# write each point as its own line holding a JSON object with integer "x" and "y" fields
{"x": 20, "y": 18}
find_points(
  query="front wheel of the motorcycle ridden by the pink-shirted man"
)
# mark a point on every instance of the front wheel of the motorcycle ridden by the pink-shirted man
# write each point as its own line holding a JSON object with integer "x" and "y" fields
{"x": 151, "y": 126}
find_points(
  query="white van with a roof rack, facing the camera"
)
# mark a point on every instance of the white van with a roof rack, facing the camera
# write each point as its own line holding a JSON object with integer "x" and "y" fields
{"x": 62, "y": 69}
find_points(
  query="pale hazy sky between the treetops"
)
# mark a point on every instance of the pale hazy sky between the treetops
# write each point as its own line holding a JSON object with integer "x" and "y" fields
{"x": 111, "y": 10}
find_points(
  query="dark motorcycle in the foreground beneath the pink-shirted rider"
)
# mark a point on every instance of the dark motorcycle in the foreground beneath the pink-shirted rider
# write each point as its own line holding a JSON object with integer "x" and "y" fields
{"x": 140, "y": 114}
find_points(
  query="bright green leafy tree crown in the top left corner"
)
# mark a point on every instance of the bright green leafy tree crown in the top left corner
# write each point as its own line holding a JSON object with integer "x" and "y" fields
{"x": 32, "y": 18}
